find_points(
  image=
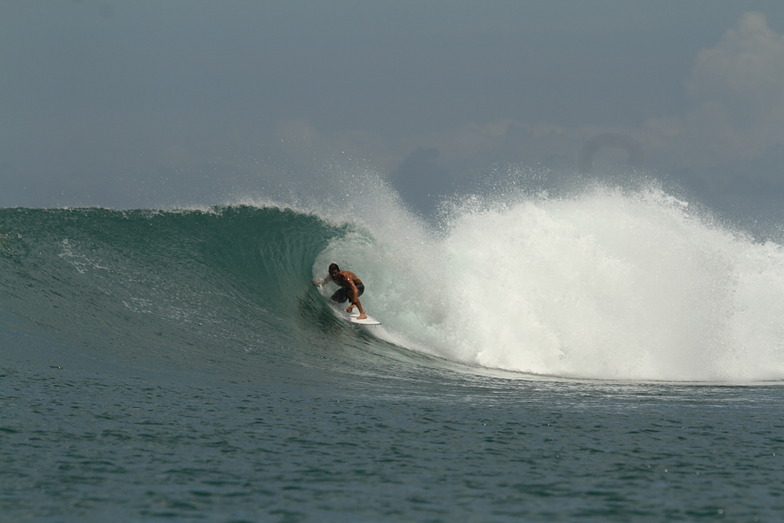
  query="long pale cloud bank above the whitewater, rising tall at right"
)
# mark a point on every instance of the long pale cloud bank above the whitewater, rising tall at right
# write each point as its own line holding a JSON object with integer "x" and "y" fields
{"x": 732, "y": 128}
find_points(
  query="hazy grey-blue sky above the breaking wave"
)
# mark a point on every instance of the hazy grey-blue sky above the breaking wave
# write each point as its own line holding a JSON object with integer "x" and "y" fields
{"x": 166, "y": 102}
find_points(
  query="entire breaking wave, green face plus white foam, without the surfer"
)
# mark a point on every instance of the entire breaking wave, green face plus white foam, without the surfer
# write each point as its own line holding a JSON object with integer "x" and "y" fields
{"x": 608, "y": 284}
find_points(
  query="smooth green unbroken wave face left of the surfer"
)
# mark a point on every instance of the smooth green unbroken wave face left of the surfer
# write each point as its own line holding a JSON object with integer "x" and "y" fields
{"x": 193, "y": 287}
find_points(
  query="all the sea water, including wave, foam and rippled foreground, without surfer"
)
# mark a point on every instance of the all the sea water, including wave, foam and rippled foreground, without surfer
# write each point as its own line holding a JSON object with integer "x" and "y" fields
{"x": 612, "y": 355}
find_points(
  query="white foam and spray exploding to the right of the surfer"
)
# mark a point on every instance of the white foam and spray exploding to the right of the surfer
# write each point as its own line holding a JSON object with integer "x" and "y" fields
{"x": 606, "y": 283}
